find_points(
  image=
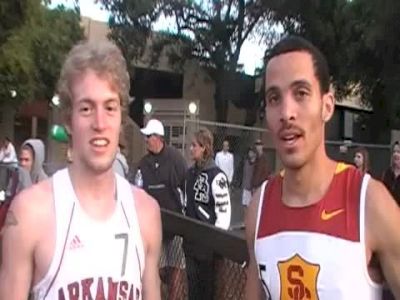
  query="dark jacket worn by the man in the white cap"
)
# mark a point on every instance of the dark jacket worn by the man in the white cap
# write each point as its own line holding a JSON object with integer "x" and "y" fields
{"x": 164, "y": 177}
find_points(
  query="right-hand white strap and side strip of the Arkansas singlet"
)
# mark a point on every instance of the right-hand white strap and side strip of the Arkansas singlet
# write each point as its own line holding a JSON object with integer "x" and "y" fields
{"x": 127, "y": 201}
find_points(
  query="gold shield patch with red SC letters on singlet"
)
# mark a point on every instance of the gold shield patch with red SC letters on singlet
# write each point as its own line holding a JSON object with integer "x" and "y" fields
{"x": 298, "y": 279}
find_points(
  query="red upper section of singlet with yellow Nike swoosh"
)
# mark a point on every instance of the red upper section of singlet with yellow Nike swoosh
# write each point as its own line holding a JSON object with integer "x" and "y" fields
{"x": 340, "y": 206}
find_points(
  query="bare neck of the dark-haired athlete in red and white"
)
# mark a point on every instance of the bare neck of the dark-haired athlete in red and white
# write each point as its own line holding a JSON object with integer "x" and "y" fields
{"x": 307, "y": 185}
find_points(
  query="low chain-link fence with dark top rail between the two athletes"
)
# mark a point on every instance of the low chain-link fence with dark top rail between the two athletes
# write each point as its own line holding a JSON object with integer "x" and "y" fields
{"x": 208, "y": 263}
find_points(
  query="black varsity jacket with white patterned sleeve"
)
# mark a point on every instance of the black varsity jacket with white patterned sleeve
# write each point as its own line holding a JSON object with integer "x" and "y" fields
{"x": 207, "y": 195}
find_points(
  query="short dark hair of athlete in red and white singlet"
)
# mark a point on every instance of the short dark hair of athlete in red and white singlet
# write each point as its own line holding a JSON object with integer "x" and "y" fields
{"x": 298, "y": 44}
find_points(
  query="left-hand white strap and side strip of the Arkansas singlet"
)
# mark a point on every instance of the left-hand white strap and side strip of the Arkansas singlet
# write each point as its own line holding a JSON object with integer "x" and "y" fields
{"x": 64, "y": 206}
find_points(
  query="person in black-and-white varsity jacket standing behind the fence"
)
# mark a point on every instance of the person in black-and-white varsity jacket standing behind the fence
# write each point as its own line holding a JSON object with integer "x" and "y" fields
{"x": 208, "y": 200}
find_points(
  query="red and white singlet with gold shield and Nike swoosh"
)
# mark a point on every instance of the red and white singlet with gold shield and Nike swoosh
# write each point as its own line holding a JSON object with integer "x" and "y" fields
{"x": 315, "y": 252}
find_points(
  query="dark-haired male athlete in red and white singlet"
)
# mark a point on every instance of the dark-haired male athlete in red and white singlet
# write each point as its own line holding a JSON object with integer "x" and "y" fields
{"x": 314, "y": 229}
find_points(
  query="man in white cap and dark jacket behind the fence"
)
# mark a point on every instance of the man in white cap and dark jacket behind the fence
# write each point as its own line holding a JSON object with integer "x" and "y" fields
{"x": 163, "y": 171}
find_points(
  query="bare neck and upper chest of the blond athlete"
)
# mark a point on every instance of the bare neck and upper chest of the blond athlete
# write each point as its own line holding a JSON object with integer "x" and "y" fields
{"x": 96, "y": 192}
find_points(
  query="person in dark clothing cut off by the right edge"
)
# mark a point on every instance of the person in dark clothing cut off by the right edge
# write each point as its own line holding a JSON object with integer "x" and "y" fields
{"x": 391, "y": 177}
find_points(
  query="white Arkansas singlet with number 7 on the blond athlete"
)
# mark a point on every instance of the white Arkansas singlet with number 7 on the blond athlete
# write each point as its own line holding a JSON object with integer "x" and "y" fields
{"x": 93, "y": 259}
